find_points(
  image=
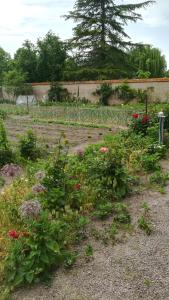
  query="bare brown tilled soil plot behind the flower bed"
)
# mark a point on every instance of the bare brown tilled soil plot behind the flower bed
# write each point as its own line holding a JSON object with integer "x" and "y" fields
{"x": 48, "y": 134}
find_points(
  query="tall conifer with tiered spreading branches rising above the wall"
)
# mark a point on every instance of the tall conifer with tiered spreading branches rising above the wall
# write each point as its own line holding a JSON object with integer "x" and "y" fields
{"x": 99, "y": 36}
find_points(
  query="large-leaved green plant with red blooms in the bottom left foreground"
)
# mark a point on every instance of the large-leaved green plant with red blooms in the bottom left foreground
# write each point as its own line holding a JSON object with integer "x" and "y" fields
{"x": 35, "y": 252}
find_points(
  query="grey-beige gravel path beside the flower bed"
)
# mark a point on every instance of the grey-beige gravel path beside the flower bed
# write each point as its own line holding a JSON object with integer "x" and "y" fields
{"x": 136, "y": 268}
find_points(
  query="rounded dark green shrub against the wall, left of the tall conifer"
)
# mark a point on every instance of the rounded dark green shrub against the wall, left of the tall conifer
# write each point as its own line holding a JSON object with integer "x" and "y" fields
{"x": 57, "y": 93}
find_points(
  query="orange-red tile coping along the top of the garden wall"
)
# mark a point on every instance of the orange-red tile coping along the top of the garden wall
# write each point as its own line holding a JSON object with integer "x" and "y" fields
{"x": 149, "y": 80}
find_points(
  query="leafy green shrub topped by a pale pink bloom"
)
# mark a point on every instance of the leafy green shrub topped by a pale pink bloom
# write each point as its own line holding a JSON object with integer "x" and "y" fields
{"x": 106, "y": 172}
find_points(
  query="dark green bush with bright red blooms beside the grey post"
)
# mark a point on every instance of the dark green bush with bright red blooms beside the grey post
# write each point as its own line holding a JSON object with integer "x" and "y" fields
{"x": 140, "y": 123}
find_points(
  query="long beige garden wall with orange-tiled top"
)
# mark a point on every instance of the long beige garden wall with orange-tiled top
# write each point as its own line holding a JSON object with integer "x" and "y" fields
{"x": 159, "y": 91}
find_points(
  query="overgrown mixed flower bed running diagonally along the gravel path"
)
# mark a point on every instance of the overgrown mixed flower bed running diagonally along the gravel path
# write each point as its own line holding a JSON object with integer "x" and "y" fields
{"x": 46, "y": 212}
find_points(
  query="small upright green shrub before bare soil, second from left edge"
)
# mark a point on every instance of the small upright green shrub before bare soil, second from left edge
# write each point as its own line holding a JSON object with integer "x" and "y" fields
{"x": 28, "y": 146}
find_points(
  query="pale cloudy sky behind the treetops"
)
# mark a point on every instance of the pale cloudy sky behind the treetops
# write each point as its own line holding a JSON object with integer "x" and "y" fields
{"x": 30, "y": 19}
